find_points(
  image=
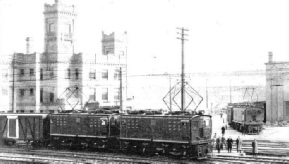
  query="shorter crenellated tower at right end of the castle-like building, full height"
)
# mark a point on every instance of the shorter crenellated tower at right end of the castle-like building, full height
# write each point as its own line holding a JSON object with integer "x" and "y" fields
{"x": 114, "y": 53}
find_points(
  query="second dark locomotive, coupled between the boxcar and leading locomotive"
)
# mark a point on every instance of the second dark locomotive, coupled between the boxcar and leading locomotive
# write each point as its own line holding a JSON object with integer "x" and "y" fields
{"x": 84, "y": 130}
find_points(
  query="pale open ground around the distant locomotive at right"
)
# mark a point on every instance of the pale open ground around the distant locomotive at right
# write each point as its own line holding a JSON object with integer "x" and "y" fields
{"x": 268, "y": 133}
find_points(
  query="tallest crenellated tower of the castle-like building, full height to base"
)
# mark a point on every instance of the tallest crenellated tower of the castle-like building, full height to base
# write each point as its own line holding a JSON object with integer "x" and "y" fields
{"x": 57, "y": 74}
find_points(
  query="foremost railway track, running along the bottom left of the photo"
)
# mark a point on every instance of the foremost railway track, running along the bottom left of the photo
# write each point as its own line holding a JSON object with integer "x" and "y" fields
{"x": 53, "y": 156}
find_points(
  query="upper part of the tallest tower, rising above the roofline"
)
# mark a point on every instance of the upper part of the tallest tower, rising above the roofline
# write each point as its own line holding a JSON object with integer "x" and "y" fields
{"x": 59, "y": 29}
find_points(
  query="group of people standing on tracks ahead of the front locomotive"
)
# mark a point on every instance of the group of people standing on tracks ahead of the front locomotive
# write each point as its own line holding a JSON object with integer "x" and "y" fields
{"x": 220, "y": 143}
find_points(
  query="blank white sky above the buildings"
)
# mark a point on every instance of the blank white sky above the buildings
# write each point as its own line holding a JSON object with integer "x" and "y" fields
{"x": 223, "y": 36}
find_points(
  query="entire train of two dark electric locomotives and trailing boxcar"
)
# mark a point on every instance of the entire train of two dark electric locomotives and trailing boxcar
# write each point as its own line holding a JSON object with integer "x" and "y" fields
{"x": 183, "y": 135}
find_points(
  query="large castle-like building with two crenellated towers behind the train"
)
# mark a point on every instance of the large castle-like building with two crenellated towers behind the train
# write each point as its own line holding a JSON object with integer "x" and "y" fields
{"x": 58, "y": 78}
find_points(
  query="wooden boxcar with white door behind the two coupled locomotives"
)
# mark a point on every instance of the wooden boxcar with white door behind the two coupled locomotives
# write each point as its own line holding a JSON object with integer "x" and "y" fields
{"x": 27, "y": 128}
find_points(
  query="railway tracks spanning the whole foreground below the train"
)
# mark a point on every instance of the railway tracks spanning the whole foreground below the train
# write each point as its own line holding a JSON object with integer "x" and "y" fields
{"x": 277, "y": 149}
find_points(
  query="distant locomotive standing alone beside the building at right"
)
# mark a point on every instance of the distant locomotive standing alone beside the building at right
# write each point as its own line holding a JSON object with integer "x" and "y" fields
{"x": 247, "y": 117}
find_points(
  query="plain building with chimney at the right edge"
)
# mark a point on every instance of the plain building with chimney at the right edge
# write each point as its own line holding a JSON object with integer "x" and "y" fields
{"x": 277, "y": 91}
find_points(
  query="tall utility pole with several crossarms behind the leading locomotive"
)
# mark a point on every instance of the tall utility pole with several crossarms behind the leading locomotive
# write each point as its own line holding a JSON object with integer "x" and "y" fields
{"x": 183, "y": 67}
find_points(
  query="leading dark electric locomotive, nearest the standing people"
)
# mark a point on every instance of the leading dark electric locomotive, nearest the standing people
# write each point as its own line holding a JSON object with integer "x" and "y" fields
{"x": 184, "y": 135}
